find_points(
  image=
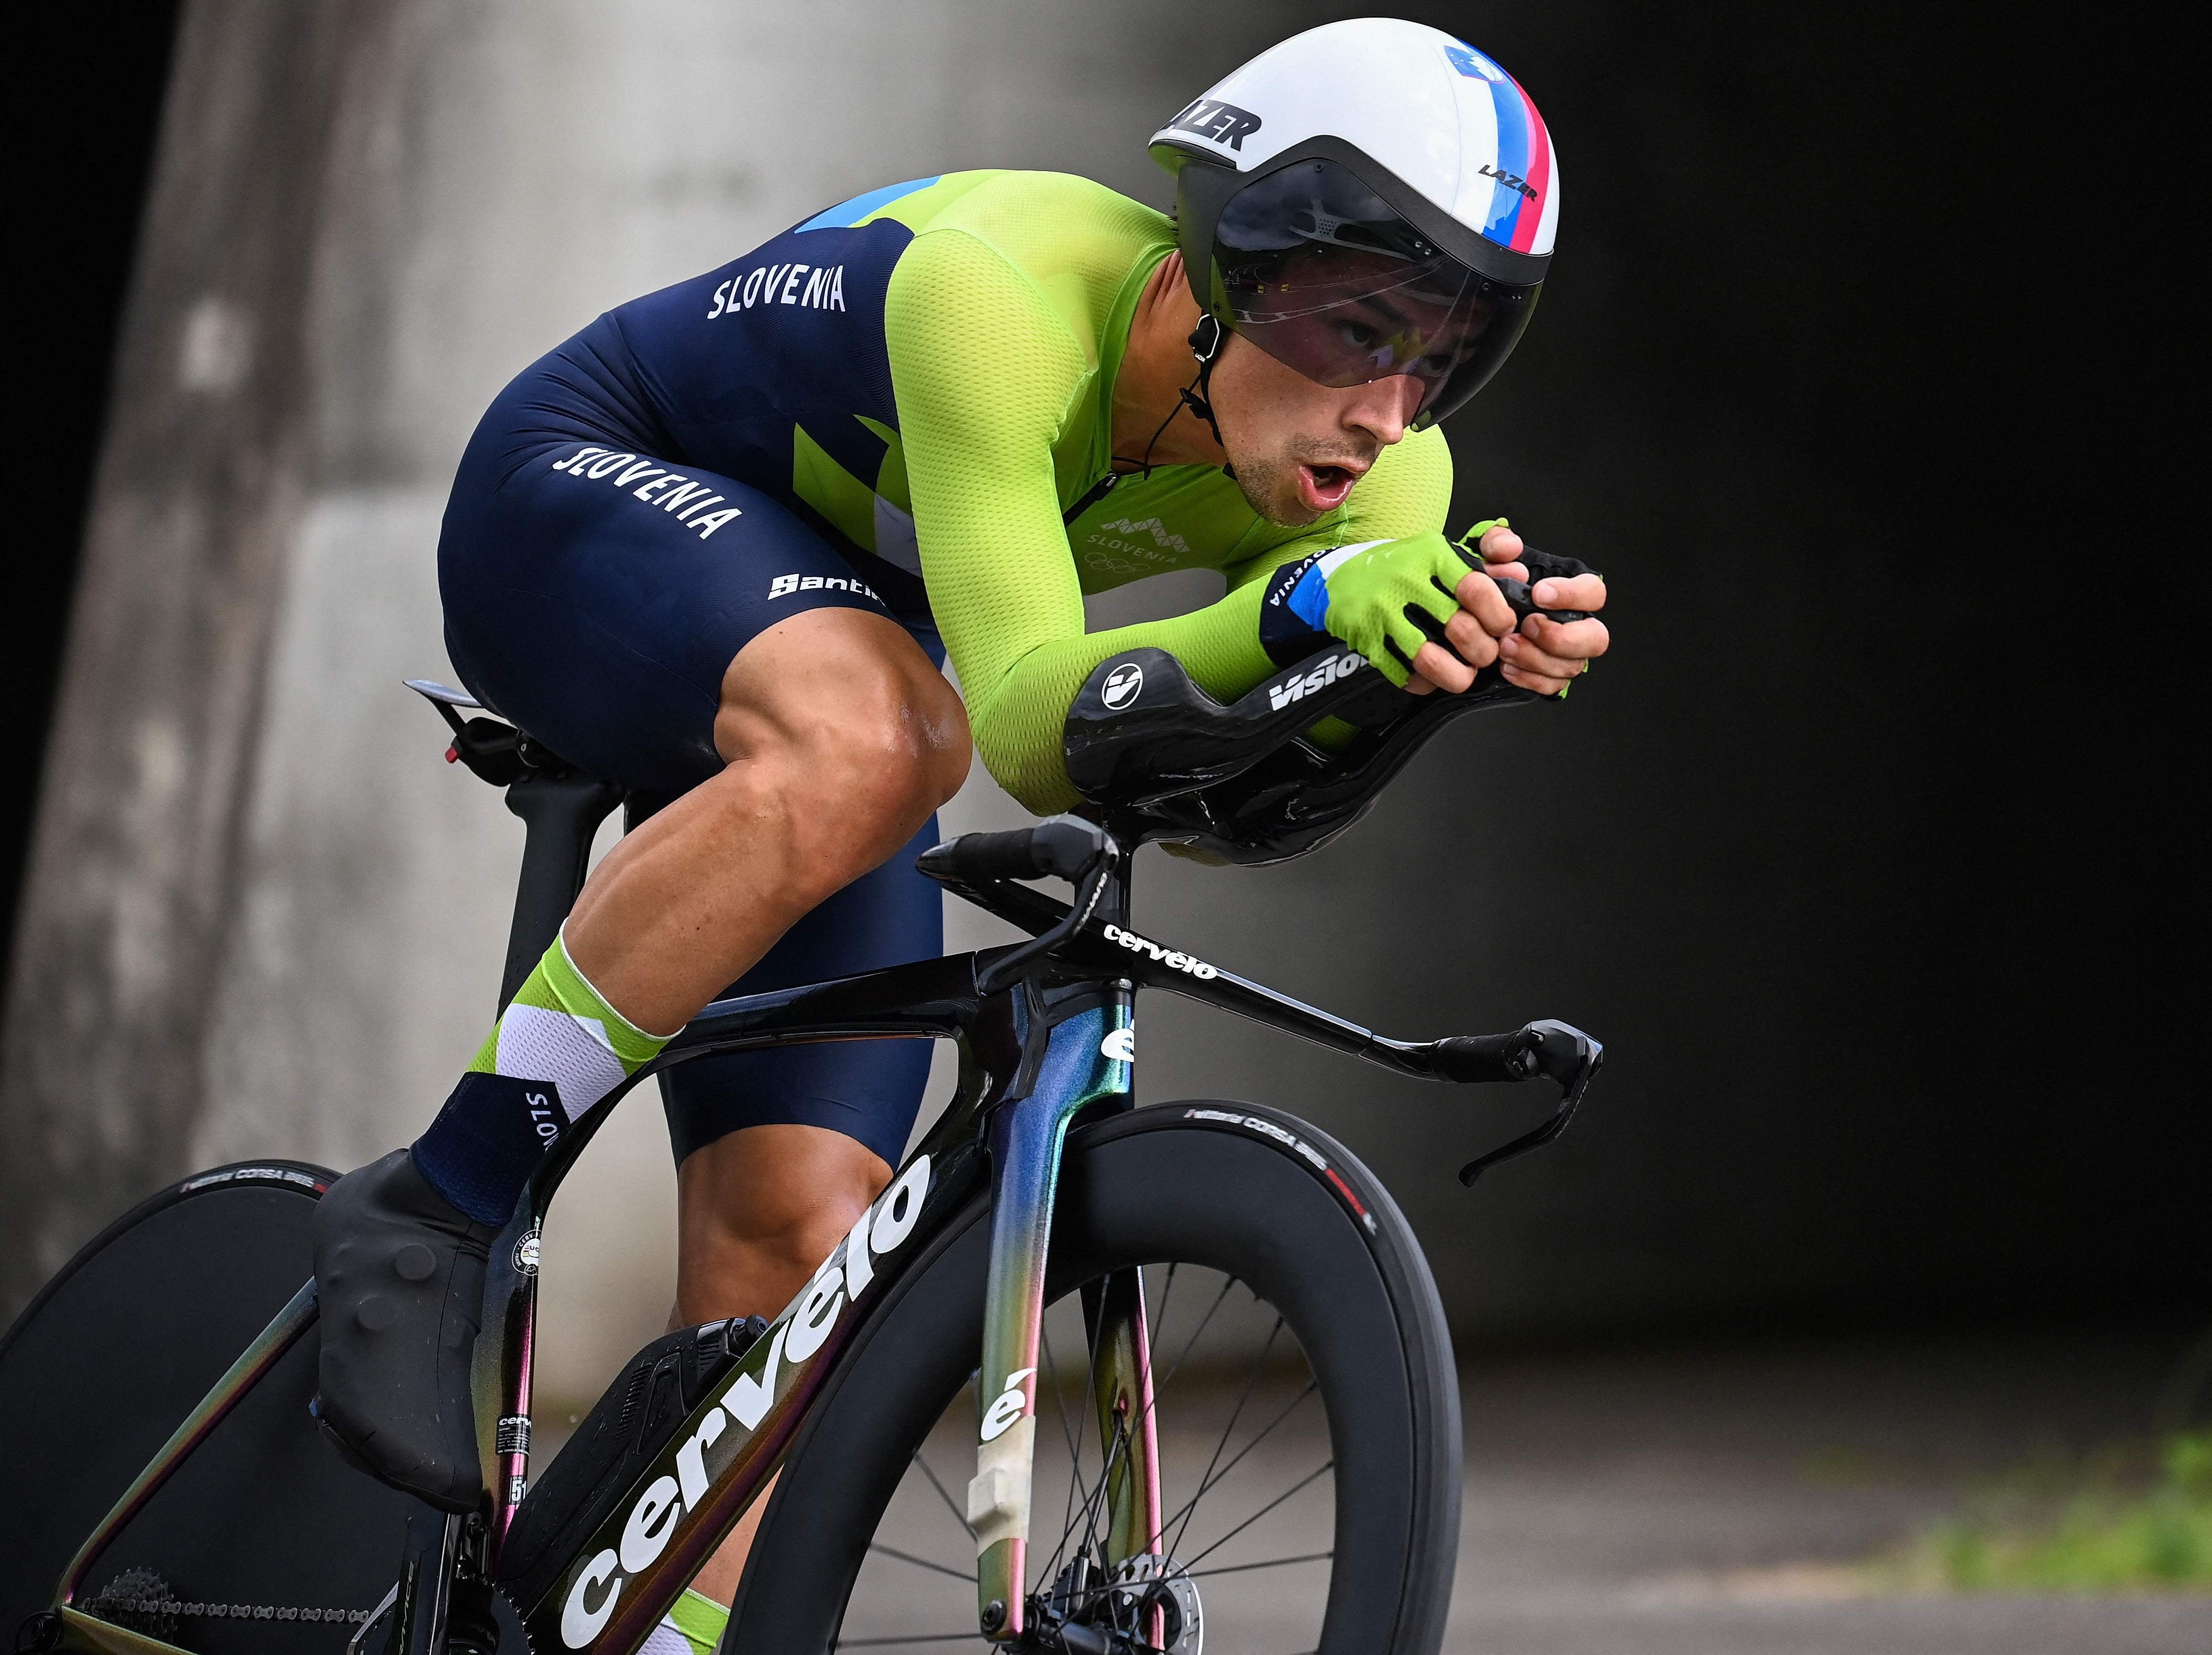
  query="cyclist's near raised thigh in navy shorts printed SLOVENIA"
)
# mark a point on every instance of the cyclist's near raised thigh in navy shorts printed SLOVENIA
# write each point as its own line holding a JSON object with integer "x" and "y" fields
{"x": 598, "y": 596}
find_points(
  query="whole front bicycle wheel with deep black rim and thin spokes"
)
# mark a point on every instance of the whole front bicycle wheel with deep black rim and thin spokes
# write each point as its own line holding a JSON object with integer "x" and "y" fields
{"x": 1308, "y": 1413}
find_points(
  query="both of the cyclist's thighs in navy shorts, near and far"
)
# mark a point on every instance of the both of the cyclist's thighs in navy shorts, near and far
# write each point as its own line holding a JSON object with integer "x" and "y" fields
{"x": 605, "y": 625}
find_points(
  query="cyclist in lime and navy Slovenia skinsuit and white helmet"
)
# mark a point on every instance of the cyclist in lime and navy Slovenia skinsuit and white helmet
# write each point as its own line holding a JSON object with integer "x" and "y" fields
{"x": 711, "y": 545}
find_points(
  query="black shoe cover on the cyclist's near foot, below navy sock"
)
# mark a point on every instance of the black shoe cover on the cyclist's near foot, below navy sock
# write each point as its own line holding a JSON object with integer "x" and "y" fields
{"x": 399, "y": 1273}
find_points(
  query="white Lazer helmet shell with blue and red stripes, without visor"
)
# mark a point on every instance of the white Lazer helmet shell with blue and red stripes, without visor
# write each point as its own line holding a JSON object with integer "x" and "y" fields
{"x": 1439, "y": 116}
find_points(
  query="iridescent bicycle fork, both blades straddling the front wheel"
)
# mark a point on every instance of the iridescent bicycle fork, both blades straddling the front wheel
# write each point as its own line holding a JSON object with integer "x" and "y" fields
{"x": 1074, "y": 1063}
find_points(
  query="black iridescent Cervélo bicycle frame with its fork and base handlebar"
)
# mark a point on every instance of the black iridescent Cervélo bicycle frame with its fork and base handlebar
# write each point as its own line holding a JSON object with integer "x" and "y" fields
{"x": 1036, "y": 1057}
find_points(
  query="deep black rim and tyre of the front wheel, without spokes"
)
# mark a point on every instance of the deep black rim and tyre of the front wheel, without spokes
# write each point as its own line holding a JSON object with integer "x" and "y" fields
{"x": 1229, "y": 1187}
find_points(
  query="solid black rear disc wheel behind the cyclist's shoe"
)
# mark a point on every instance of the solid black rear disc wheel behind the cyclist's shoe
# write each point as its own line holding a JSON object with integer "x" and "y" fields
{"x": 116, "y": 1351}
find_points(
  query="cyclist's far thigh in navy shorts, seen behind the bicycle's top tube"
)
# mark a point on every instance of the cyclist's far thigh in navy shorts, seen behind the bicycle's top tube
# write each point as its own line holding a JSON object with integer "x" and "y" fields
{"x": 868, "y": 1090}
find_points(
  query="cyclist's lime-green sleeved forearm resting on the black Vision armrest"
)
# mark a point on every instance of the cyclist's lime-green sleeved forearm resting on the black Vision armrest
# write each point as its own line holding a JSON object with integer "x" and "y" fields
{"x": 1019, "y": 720}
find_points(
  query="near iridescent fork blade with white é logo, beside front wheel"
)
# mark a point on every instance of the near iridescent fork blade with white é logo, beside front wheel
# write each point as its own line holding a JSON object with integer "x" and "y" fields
{"x": 1087, "y": 1059}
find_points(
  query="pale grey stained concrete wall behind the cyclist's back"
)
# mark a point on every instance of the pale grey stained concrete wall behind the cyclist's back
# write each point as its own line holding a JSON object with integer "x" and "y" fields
{"x": 437, "y": 194}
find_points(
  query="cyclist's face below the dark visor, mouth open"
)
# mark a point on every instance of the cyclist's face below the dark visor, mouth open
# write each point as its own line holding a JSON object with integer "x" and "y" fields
{"x": 1297, "y": 446}
